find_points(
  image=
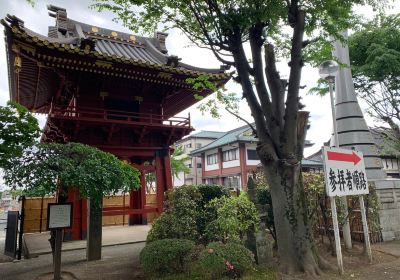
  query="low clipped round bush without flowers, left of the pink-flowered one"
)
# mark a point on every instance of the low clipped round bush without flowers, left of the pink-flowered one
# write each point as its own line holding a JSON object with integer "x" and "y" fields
{"x": 167, "y": 256}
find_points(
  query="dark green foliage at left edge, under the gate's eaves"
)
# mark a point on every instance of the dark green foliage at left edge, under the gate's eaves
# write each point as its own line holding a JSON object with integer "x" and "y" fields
{"x": 19, "y": 130}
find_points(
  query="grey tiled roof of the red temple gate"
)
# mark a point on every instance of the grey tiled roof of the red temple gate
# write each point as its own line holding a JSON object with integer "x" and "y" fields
{"x": 81, "y": 38}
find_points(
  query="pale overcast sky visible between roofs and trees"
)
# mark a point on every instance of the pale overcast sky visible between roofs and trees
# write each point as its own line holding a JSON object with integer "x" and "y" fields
{"x": 38, "y": 20}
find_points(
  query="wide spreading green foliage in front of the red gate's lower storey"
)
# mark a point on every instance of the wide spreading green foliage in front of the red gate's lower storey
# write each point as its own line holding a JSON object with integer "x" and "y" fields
{"x": 47, "y": 167}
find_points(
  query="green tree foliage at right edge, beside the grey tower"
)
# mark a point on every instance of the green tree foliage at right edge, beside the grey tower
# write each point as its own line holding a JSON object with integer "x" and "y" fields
{"x": 375, "y": 62}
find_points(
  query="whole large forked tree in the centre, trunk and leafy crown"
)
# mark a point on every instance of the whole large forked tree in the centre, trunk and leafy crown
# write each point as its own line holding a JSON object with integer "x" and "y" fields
{"x": 295, "y": 29}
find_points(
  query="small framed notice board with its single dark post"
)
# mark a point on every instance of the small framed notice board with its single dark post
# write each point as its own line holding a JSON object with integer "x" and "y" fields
{"x": 59, "y": 217}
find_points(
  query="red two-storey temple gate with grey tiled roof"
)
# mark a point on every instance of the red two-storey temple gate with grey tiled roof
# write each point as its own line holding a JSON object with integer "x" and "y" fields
{"x": 115, "y": 91}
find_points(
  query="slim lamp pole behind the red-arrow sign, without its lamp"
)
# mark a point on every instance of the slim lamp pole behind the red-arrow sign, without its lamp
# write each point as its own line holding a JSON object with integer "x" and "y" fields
{"x": 346, "y": 225}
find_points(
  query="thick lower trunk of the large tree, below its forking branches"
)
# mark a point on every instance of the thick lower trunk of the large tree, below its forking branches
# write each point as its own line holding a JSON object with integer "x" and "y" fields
{"x": 294, "y": 236}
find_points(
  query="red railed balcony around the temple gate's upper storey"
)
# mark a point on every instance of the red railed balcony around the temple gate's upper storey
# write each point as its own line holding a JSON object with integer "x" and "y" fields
{"x": 94, "y": 115}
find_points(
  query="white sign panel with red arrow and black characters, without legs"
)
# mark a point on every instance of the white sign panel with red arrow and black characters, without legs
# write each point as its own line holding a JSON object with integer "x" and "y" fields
{"x": 344, "y": 172}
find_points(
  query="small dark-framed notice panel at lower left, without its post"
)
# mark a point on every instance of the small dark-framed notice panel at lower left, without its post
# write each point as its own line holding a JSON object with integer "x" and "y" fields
{"x": 59, "y": 216}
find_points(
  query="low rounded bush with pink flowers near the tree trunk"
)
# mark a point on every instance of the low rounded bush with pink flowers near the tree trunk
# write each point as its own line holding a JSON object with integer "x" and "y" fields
{"x": 230, "y": 259}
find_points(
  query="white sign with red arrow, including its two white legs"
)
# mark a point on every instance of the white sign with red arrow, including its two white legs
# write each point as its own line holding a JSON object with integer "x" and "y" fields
{"x": 345, "y": 175}
